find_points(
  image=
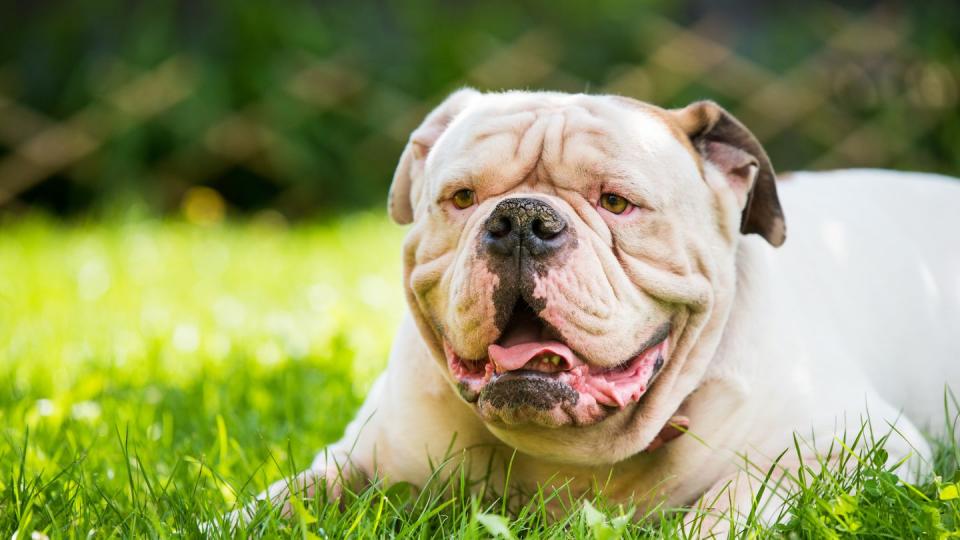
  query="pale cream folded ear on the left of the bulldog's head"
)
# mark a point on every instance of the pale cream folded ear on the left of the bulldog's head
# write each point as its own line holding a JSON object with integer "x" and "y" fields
{"x": 404, "y": 191}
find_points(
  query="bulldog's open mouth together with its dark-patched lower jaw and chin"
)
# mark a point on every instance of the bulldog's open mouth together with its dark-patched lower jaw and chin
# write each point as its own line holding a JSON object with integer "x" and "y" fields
{"x": 530, "y": 376}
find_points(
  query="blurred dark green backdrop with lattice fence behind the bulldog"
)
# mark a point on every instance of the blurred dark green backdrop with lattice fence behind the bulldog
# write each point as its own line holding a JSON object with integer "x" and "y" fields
{"x": 292, "y": 110}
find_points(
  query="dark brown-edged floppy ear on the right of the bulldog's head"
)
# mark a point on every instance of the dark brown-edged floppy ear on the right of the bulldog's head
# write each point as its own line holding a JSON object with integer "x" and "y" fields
{"x": 723, "y": 141}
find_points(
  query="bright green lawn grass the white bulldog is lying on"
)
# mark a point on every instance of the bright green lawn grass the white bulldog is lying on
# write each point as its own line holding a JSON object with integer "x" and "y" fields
{"x": 153, "y": 375}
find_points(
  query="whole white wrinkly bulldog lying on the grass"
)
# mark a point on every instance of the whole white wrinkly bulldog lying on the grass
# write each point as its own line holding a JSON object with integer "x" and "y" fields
{"x": 589, "y": 277}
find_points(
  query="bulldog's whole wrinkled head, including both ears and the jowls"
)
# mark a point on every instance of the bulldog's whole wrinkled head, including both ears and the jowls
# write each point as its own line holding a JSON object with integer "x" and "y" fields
{"x": 571, "y": 259}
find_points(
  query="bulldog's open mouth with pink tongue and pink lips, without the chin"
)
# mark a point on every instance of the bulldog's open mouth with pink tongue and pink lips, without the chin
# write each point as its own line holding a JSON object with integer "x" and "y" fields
{"x": 528, "y": 347}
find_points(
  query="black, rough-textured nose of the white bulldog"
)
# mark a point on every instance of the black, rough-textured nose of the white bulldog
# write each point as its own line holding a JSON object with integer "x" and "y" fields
{"x": 528, "y": 223}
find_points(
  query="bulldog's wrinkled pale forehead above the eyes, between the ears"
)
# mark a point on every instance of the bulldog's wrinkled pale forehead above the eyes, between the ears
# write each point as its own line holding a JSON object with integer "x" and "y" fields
{"x": 505, "y": 138}
